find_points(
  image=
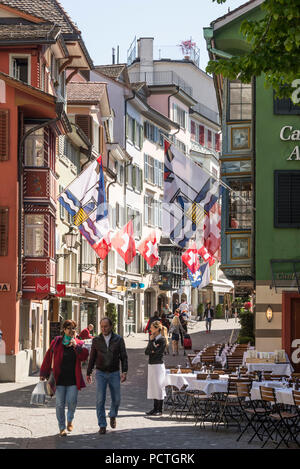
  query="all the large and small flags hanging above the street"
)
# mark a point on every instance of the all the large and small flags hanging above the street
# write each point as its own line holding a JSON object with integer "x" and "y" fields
{"x": 192, "y": 211}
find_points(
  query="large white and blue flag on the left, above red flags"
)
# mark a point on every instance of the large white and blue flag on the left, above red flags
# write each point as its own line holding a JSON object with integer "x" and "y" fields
{"x": 85, "y": 201}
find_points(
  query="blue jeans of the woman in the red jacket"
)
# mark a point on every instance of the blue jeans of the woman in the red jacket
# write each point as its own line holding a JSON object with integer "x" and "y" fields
{"x": 65, "y": 395}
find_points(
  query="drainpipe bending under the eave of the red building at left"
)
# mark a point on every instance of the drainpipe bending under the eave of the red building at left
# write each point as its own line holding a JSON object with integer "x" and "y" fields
{"x": 21, "y": 194}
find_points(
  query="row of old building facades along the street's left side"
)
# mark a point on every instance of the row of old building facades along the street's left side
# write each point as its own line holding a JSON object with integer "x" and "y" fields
{"x": 58, "y": 112}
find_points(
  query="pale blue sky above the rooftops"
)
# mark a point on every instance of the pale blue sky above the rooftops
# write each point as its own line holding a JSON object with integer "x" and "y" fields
{"x": 108, "y": 24}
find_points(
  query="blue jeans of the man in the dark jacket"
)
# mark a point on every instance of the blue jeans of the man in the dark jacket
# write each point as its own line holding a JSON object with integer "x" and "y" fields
{"x": 113, "y": 381}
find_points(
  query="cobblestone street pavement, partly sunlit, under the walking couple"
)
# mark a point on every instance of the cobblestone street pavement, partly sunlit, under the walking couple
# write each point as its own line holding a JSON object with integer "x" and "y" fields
{"x": 24, "y": 426}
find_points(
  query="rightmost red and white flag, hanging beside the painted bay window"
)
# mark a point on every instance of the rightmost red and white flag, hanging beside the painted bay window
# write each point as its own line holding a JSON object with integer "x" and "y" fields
{"x": 212, "y": 231}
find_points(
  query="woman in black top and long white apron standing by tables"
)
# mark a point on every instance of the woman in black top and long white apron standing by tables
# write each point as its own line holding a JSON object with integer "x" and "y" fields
{"x": 156, "y": 368}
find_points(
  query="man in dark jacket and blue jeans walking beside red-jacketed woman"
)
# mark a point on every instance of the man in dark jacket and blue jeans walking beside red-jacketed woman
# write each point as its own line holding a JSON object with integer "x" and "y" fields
{"x": 108, "y": 350}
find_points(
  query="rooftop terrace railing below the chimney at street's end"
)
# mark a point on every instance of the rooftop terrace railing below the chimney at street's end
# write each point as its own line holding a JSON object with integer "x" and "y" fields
{"x": 161, "y": 78}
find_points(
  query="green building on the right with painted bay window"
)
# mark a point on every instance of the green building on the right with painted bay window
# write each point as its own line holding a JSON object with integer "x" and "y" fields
{"x": 261, "y": 162}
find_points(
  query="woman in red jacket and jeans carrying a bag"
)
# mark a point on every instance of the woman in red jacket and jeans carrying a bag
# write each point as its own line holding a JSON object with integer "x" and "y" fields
{"x": 64, "y": 356}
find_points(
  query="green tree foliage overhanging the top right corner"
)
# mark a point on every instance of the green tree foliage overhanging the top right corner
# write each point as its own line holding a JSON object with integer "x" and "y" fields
{"x": 274, "y": 48}
